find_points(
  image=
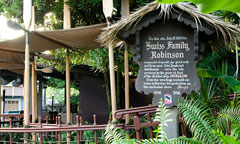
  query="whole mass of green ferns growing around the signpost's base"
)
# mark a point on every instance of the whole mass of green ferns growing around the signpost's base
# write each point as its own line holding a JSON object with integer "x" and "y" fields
{"x": 206, "y": 128}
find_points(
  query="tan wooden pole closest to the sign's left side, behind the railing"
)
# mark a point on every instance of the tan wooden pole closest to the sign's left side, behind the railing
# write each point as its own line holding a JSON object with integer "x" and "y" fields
{"x": 125, "y": 12}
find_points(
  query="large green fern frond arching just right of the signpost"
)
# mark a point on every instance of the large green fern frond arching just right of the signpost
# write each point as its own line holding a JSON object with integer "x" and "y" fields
{"x": 199, "y": 119}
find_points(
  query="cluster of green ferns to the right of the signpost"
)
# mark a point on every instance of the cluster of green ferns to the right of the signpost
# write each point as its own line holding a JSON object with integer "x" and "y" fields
{"x": 202, "y": 123}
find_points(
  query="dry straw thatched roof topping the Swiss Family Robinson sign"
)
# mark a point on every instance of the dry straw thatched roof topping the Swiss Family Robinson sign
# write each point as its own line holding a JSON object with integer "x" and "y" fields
{"x": 225, "y": 30}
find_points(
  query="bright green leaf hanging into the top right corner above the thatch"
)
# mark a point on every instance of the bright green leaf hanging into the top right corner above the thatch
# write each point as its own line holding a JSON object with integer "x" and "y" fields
{"x": 207, "y": 6}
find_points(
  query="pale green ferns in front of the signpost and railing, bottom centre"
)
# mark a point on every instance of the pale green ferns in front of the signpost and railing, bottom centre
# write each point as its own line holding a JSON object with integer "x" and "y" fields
{"x": 117, "y": 136}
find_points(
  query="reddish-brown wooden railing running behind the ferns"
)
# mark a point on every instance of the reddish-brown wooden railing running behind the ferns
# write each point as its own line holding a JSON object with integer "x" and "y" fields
{"x": 43, "y": 130}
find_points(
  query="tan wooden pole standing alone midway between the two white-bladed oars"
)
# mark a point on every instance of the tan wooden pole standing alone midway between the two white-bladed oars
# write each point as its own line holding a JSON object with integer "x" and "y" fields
{"x": 67, "y": 25}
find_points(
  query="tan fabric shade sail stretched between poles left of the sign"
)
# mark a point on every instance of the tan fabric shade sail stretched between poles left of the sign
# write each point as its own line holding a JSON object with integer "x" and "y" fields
{"x": 83, "y": 37}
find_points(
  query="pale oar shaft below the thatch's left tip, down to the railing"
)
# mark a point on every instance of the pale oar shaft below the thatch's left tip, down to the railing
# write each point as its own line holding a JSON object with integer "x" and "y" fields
{"x": 112, "y": 81}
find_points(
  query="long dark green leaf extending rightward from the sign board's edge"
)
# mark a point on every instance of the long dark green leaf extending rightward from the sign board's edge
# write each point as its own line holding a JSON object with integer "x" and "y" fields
{"x": 233, "y": 83}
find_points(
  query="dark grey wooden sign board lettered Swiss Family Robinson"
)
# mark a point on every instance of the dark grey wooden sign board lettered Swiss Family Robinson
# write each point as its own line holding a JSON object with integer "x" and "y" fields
{"x": 167, "y": 54}
